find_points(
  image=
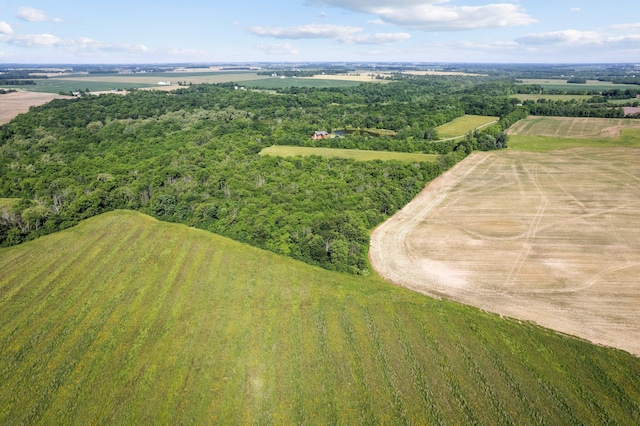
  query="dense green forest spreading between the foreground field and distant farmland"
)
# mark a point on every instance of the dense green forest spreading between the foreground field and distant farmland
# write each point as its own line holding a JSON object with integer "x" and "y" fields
{"x": 191, "y": 156}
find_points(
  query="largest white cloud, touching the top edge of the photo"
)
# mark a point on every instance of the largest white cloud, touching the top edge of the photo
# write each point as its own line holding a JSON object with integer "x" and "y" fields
{"x": 434, "y": 15}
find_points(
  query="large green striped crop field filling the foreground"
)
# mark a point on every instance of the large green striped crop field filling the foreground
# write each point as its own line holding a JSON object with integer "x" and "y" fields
{"x": 124, "y": 319}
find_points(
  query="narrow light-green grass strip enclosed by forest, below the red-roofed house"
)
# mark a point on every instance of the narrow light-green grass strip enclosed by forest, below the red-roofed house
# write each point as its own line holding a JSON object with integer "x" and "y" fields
{"x": 355, "y": 154}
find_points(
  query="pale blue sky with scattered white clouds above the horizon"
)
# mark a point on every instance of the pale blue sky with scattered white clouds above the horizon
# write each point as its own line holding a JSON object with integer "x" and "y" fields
{"x": 116, "y": 31}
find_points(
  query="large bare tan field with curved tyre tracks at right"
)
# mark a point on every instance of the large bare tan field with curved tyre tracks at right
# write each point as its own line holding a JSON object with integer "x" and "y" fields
{"x": 552, "y": 238}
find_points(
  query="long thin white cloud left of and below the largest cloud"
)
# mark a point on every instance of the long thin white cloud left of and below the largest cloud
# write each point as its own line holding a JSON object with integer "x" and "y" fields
{"x": 340, "y": 33}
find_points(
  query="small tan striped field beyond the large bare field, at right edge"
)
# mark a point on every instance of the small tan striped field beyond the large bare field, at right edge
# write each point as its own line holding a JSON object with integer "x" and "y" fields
{"x": 572, "y": 127}
